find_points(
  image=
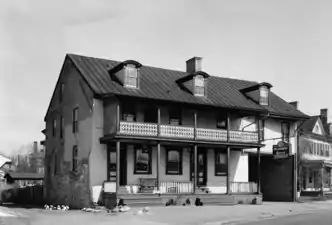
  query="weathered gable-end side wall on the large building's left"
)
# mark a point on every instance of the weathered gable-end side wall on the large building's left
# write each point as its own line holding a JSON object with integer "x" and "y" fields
{"x": 65, "y": 186}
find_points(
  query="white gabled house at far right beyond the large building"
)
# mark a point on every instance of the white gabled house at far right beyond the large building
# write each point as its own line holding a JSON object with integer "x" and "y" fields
{"x": 315, "y": 157}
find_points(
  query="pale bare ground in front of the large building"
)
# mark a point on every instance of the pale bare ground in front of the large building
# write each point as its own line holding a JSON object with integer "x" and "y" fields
{"x": 208, "y": 215}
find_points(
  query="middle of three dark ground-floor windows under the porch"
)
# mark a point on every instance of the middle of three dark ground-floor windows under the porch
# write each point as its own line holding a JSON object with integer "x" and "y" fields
{"x": 174, "y": 162}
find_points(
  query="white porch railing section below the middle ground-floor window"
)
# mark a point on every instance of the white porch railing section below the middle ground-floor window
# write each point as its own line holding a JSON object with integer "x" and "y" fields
{"x": 176, "y": 187}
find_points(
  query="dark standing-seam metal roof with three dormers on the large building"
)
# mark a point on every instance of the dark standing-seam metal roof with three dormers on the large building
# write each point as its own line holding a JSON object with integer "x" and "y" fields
{"x": 160, "y": 84}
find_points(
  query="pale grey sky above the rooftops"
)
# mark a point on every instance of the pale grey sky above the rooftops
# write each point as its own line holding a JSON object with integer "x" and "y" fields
{"x": 284, "y": 42}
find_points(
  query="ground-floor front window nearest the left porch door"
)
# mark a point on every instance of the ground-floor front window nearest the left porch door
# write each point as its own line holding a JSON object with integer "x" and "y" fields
{"x": 142, "y": 160}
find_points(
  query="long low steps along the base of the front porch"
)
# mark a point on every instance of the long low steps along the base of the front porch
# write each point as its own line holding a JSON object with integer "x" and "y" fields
{"x": 155, "y": 200}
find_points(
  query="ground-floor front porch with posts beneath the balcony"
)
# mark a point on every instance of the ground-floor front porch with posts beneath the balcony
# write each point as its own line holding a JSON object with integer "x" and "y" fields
{"x": 152, "y": 172}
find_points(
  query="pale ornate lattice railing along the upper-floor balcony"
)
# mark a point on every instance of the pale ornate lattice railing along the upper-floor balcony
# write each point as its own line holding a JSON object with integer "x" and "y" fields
{"x": 183, "y": 132}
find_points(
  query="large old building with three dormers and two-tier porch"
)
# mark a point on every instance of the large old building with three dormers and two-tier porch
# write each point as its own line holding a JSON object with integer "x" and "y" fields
{"x": 147, "y": 133}
